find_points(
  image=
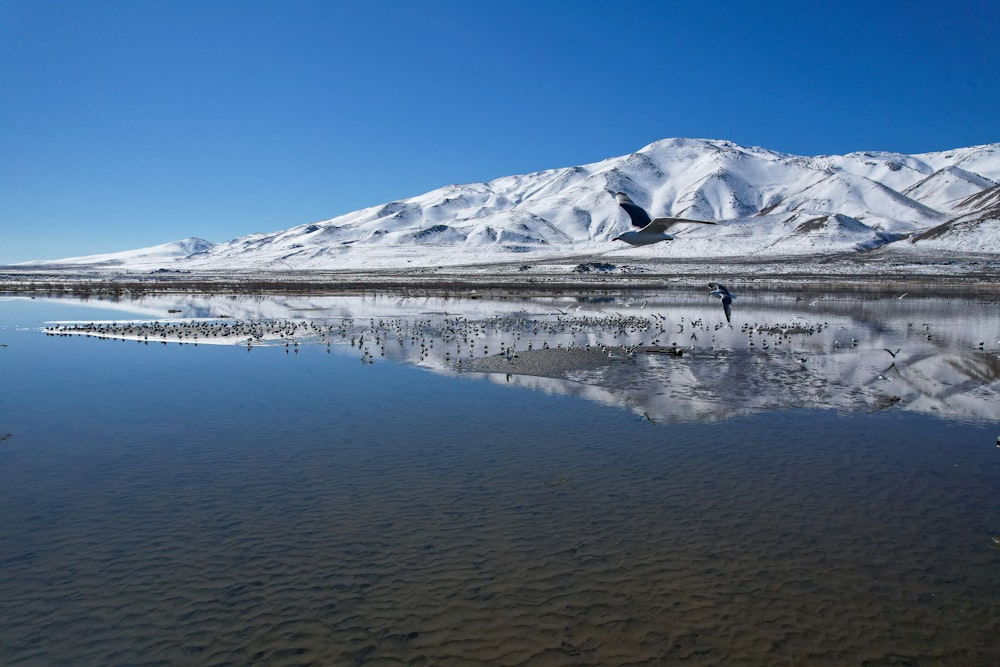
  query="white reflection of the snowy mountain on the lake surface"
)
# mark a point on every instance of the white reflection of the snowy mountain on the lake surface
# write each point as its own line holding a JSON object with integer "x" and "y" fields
{"x": 830, "y": 353}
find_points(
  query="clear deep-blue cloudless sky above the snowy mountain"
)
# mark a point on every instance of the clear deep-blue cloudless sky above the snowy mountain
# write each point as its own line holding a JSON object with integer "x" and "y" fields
{"x": 125, "y": 124}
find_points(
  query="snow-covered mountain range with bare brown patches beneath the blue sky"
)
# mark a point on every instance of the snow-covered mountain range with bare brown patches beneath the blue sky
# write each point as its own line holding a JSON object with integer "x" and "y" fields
{"x": 766, "y": 203}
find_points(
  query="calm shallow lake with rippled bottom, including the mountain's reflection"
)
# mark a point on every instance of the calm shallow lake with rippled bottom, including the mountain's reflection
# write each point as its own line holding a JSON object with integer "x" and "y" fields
{"x": 817, "y": 484}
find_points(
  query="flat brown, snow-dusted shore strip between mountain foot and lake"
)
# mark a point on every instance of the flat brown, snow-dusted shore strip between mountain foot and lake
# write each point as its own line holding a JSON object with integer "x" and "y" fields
{"x": 873, "y": 272}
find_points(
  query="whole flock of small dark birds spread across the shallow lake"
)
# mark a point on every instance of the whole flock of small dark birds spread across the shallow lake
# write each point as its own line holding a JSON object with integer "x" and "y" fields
{"x": 800, "y": 347}
